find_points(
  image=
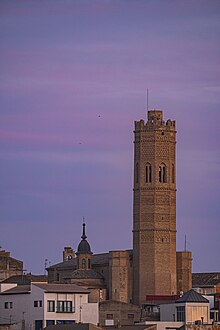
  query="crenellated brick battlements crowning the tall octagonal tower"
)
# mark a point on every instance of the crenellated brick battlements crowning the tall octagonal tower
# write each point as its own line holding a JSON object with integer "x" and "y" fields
{"x": 155, "y": 121}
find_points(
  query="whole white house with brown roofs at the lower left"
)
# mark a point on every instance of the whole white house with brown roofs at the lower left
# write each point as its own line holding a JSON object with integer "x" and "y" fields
{"x": 40, "y": 304}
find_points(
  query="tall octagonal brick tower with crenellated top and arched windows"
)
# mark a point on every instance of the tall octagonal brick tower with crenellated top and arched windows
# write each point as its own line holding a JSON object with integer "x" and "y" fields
{"x": 154, "y": 208}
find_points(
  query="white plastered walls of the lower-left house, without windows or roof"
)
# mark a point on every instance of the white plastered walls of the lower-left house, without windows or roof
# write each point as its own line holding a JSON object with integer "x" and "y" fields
{"x": 23, "y": 306}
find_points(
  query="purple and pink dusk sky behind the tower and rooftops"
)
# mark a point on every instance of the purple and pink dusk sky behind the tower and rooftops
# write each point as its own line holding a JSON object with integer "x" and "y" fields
{"x": 73, "y": 79}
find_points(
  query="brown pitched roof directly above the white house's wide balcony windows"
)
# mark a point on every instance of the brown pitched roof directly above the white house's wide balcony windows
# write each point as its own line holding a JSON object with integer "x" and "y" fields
{"x": 65, "y": 288}
